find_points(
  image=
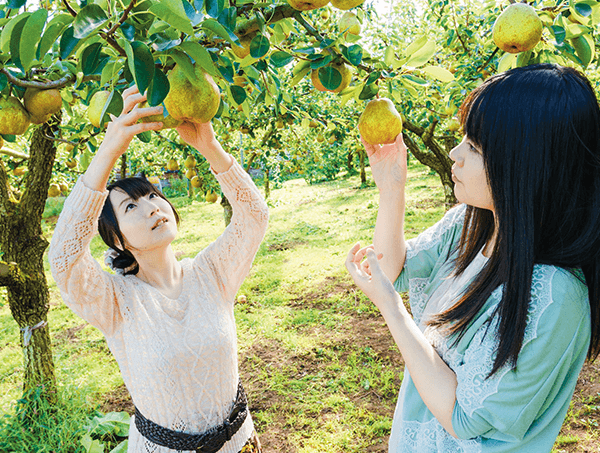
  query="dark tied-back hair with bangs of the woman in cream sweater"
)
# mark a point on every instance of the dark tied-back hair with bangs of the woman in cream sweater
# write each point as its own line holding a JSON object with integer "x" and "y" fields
{"x": 108, "y": 225}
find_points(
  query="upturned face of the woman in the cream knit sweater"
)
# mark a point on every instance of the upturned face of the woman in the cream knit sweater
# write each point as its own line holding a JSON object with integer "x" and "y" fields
{"x": 146, "y": 223}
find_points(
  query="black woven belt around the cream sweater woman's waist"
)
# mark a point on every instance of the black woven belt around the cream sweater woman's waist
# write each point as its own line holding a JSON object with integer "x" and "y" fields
{"x": 210, "y": 441}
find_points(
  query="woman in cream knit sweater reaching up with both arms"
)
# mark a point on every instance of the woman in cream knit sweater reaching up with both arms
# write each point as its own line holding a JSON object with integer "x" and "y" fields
{"x": 169, "y": 323}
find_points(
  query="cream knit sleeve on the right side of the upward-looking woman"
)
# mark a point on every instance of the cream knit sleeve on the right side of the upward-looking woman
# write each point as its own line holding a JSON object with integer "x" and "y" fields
{"x": 229, "y": 257}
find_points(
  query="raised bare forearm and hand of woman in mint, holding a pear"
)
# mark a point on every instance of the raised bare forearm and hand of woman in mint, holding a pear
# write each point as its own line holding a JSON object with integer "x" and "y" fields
{"x": 388, "y": 165}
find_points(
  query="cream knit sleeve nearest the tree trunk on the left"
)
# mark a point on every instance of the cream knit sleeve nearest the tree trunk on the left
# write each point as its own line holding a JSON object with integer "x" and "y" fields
{"x": 85, "y": 288}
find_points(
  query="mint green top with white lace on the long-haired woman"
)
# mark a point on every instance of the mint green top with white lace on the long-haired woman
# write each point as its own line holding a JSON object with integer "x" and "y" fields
{"x": 519, "y": 410}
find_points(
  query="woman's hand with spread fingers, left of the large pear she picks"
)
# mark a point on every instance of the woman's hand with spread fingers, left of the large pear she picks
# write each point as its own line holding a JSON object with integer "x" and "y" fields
{"x": 122, "y": 129}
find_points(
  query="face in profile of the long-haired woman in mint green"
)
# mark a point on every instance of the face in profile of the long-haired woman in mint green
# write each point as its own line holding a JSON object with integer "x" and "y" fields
{"x": 468, "y": 173}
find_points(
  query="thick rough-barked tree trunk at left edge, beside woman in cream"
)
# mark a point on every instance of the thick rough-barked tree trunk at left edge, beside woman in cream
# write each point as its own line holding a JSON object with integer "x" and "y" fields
{"x": 21, "y": 263}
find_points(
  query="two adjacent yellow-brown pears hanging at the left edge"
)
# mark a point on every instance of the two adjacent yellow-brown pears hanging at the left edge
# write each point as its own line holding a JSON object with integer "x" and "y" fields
{"x": 37, "y": 108}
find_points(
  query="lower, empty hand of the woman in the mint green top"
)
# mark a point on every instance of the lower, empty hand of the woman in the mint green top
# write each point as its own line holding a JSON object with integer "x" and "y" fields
{"x": 369, "y": 277}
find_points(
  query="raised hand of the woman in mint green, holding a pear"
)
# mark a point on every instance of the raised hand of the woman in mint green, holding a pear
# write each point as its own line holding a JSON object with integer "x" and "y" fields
{"x": 388, "y": 164}
